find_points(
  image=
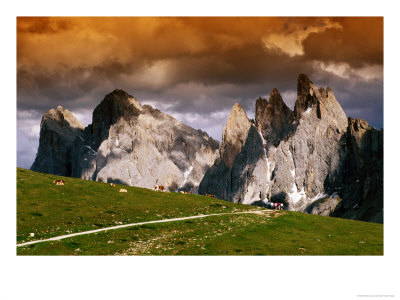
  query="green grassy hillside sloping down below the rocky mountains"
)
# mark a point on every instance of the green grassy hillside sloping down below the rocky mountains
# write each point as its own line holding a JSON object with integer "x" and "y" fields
{"x": 48, "y": 210}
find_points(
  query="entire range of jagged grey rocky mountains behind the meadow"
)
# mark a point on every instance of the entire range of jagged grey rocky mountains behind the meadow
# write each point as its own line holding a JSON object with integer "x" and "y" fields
{"x": 313, "y": 159}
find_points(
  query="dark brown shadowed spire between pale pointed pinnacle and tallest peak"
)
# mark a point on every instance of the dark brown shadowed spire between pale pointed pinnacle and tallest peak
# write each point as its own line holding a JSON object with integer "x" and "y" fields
{"x": 273, "y": 118}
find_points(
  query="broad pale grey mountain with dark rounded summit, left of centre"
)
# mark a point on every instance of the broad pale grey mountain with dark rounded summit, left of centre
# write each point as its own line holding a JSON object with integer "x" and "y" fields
{"x": 137, "y": 145}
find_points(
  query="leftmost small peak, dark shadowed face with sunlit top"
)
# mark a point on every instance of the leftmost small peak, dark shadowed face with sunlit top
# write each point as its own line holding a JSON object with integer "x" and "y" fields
{"x": 58, "y": 130}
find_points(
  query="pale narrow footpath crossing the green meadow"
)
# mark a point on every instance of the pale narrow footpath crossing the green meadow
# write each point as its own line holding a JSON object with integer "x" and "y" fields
{"x": 134, "y": 224}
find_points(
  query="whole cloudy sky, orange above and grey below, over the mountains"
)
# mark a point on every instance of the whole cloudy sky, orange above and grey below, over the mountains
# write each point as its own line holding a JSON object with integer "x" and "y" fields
{"x": 192, "y": 68}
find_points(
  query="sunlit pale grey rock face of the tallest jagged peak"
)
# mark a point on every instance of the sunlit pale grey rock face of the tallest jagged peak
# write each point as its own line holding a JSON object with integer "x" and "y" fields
{"x": 309, "y": 160}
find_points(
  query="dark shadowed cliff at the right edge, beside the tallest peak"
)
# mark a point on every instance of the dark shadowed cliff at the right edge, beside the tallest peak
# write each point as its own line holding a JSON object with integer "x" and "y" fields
{"x": 362, "y": 173}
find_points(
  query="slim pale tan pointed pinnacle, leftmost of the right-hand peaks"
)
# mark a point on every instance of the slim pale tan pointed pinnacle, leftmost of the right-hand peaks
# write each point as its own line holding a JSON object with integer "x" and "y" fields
{"x": 234, "y": 134}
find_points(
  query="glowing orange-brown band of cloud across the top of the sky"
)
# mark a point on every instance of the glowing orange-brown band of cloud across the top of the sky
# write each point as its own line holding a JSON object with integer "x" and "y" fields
{"x": 165, "y": 51}
